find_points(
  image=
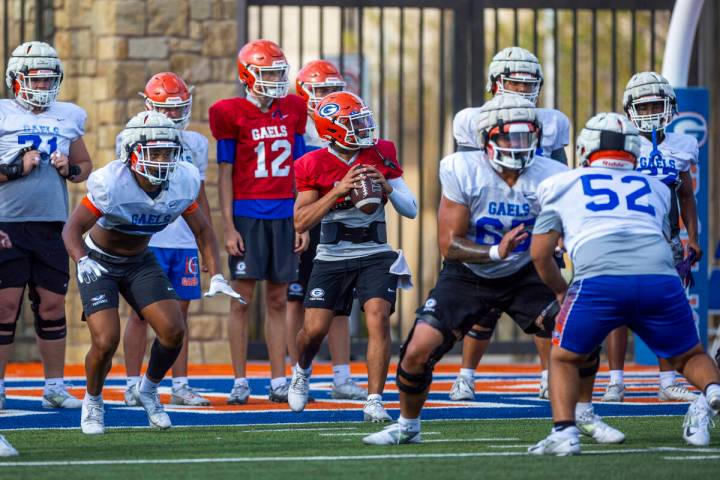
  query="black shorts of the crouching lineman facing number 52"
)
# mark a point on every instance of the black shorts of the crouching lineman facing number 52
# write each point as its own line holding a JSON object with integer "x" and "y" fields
{"x": 461, "y": 299}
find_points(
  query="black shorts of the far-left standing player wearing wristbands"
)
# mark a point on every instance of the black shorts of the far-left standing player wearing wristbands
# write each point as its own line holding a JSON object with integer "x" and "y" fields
{"x": 37, "y": 256}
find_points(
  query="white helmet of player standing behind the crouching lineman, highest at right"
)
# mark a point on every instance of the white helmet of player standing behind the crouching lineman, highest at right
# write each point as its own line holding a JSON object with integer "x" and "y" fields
{"x": 517, "y": 65}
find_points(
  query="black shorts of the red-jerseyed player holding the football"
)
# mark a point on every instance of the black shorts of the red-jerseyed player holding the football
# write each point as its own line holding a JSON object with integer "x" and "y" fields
{"x": 334, "y": 284}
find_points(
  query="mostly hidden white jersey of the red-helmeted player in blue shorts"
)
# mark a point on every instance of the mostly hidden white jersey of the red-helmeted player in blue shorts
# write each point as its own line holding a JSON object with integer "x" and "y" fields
{"x": 195, "y": 151}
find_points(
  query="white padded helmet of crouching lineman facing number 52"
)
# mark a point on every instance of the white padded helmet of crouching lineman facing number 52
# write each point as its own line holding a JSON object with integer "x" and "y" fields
{"x": 508, "y": 130}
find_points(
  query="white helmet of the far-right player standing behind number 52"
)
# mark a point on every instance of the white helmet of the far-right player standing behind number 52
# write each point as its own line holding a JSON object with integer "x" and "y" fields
{"x": 648, "y": 88}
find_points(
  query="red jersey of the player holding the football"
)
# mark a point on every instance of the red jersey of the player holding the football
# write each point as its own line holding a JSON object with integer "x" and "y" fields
{"x": 320, "y": 169}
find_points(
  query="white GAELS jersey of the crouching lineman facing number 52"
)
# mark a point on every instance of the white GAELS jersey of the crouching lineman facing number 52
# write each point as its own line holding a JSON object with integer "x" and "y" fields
{"x": 469, "y": 179}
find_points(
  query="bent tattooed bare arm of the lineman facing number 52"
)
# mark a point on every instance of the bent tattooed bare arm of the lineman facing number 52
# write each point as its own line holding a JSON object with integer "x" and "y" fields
{"x": 453, "y": 220}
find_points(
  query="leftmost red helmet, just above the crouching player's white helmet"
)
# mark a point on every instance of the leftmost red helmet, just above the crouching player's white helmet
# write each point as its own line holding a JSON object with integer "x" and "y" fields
{"x": 168, "y": 94}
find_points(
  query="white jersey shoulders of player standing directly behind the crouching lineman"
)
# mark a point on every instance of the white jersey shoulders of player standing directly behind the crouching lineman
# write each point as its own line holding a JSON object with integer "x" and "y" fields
{"x": 555, "y": 129}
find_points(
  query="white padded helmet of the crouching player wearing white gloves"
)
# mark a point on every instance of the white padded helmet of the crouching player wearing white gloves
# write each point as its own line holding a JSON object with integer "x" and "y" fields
{"x": 151, "y": 145}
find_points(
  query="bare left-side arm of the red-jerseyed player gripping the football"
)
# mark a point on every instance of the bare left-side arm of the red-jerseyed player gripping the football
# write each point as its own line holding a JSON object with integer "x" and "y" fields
{"x": 310, "y": 208}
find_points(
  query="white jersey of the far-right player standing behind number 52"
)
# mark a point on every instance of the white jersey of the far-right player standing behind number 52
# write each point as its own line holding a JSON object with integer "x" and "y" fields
{"x": 677, "y": 153}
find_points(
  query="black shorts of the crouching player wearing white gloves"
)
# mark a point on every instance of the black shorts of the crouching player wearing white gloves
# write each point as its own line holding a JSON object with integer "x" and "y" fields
{"x": 139, "y": 279}
